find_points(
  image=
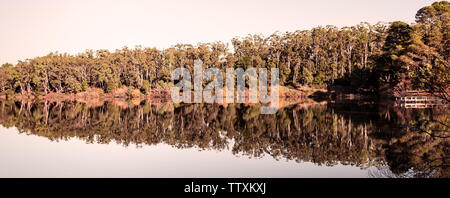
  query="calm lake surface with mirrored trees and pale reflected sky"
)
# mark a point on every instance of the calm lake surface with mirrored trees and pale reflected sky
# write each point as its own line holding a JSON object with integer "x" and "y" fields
{"x": 166, "y": 140}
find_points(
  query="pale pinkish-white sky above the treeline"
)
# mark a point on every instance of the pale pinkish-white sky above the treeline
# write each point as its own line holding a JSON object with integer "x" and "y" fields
{"x": 31, "y": 28}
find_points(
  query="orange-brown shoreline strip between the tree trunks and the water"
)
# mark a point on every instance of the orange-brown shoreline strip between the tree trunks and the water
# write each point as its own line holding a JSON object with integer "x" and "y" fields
{"x": 126, "y": 96}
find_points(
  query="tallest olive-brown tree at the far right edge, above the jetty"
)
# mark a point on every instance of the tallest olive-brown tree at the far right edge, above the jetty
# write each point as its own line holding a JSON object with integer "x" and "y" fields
{"x": 428, "y": 54}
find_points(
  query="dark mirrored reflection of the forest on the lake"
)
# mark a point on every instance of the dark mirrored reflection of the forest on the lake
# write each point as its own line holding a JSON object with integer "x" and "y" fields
{"x": 363, "y": 136}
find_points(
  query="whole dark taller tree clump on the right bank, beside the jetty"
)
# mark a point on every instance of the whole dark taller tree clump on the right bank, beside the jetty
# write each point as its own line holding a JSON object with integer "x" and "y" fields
{"x": 417, "y": 57}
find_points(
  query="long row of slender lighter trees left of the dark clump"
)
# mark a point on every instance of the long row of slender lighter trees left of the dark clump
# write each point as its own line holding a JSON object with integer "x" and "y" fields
{"x": 298, "y": 55}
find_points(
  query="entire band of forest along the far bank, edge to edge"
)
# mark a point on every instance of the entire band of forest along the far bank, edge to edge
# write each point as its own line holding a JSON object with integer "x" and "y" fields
{"x": 369, "y": 58}
